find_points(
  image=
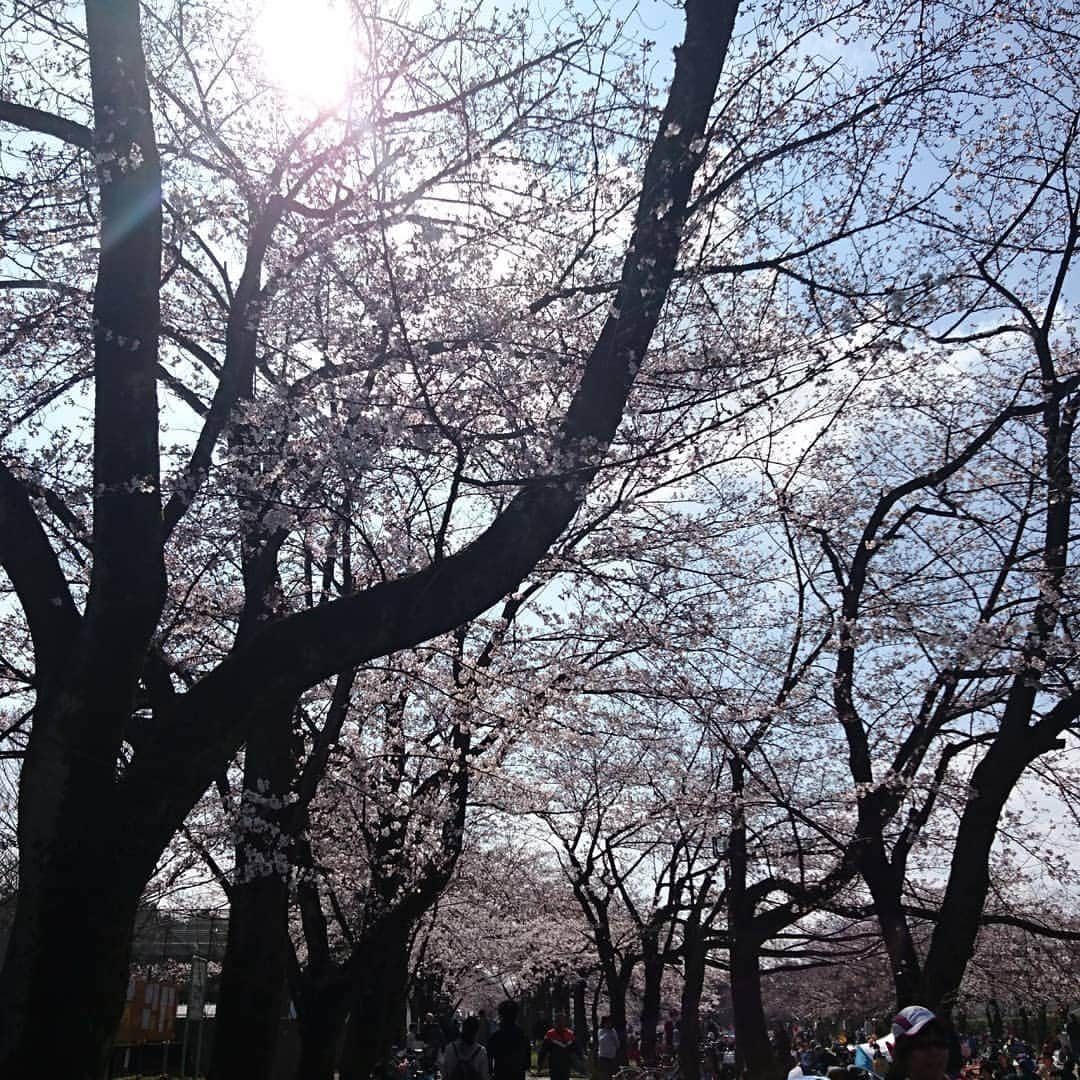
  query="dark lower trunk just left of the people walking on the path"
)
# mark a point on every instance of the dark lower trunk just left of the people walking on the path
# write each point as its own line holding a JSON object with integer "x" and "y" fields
{"x": 377, "y": 1003}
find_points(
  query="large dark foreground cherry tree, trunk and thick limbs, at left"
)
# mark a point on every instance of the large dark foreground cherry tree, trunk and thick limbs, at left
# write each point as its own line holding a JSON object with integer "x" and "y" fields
{"x": 90, "y": 833}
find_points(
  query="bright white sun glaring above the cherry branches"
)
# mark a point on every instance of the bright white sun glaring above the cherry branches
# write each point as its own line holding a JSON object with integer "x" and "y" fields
{"x": 307, "y": 49}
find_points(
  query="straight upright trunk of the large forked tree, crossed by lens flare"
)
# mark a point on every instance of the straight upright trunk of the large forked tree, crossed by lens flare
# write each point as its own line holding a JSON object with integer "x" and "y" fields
{"x": 80, "y": 874}
